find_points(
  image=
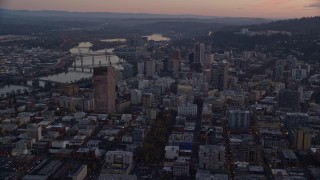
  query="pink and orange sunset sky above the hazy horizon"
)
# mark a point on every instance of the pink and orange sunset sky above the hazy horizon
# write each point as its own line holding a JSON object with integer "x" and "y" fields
{"x": 236, "y": 8}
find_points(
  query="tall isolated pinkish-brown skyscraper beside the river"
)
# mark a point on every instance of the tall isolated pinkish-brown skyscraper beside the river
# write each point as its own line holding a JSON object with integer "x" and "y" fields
{"x": 104, "y": 89}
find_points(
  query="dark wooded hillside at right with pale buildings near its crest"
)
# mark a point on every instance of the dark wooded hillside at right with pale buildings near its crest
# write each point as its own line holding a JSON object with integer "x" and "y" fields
{"x": 303, "y": 43}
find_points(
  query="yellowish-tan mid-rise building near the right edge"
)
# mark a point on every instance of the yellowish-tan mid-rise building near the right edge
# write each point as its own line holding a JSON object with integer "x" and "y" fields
{"x": 303, "y": 138}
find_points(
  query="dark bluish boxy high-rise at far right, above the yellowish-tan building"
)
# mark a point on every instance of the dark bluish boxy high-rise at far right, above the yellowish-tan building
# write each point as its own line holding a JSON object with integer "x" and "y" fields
{"x": 289, "y": 99}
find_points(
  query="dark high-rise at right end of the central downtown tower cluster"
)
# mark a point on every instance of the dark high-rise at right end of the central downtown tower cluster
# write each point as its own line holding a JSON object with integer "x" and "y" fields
{"x": 219, "y": 75}
